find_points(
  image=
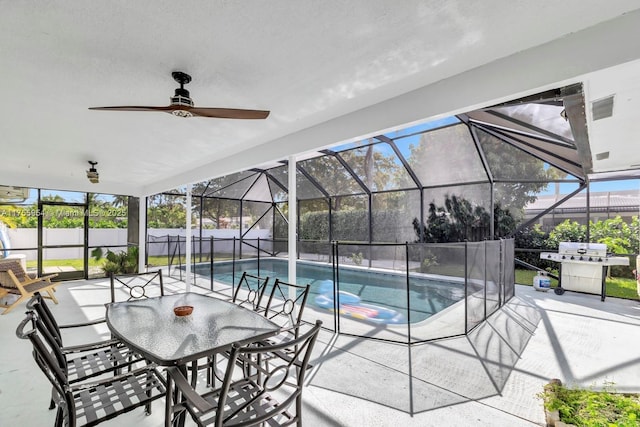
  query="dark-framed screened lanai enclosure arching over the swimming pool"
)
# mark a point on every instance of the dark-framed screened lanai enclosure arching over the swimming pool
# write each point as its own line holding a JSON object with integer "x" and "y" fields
{"x": 403, "y": 236}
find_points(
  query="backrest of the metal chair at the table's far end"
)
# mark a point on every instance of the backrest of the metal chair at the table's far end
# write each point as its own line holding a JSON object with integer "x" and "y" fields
{"x": 127, "y": 287}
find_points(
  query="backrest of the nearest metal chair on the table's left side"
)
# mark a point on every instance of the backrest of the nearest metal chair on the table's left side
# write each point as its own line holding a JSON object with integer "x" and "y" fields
{"x": 48, "y": 357}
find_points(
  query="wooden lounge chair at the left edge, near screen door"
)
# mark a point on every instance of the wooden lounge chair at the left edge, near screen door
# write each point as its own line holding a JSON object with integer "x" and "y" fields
{"x": 15, "y": 281}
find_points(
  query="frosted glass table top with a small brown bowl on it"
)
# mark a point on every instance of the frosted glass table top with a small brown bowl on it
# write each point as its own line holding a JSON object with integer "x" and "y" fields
{"x": 150, "y": 327}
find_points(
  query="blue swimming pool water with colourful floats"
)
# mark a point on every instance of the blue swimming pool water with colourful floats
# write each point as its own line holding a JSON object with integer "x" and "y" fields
{"x": 368, "y": 295}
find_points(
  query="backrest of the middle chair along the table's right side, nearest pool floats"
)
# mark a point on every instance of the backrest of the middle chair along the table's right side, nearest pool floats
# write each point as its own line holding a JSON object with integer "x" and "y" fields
{"x": 286, "y": 303}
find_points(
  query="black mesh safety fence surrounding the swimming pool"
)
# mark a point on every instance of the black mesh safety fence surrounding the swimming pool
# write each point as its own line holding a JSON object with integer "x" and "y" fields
{"x": 405, "y": 292}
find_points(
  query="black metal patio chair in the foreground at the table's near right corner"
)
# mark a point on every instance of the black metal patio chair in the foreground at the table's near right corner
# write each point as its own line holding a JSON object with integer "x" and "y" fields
{"x": 248, "y": 400}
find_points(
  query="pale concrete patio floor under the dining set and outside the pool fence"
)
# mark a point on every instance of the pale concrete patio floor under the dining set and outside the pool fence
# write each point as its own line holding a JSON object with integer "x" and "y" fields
{"x": 488, "y": 378}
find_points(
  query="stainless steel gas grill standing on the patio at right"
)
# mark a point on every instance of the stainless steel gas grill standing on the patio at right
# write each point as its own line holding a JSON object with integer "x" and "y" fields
{"x": 583, "y": 266}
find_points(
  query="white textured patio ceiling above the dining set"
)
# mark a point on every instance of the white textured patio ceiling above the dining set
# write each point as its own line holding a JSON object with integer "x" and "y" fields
{"x": 329, "y": 71}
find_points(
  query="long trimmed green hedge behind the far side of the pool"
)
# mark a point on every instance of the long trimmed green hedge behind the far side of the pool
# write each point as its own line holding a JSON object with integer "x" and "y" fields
{"x": 353, "y": 226}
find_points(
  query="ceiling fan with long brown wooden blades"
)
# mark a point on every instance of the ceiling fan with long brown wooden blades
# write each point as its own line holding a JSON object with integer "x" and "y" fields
{"x": 182, "y": 105}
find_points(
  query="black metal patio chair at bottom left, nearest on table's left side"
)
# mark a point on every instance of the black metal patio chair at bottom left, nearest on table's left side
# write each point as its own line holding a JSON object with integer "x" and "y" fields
{"x": 90, "y": 403}
